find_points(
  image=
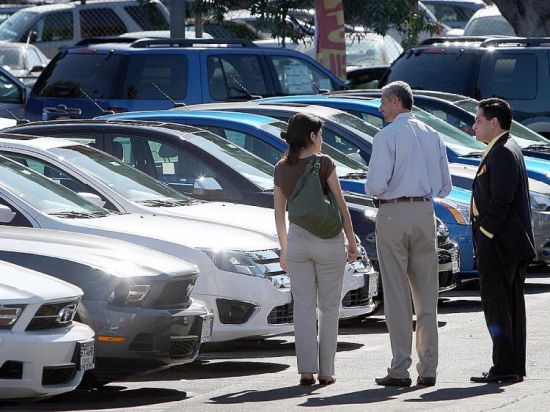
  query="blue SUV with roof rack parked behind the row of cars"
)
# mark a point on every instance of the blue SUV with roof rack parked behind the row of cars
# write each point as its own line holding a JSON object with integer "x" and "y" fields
{"x": 125, "y": 74}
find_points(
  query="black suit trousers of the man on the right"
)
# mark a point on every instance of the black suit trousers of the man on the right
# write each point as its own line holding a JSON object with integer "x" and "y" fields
{"x": 504, "y": 307}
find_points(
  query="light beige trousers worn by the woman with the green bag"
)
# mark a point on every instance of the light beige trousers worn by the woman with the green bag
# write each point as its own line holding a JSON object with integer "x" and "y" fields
{"x": 316, "y": 269}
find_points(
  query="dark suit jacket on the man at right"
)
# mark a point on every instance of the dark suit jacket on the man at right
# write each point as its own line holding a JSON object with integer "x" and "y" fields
{"x": 501, "y": 194}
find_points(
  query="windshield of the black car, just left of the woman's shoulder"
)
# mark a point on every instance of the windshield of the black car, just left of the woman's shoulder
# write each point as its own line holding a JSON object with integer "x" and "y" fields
{"x": 252, "y": 167}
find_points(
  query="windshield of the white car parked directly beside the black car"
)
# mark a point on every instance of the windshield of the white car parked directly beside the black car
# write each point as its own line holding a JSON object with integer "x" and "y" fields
{"x": 127, "y": 181}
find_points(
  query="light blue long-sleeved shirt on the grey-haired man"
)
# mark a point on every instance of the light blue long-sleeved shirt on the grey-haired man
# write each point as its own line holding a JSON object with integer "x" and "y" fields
{"x": 408, "y": 158}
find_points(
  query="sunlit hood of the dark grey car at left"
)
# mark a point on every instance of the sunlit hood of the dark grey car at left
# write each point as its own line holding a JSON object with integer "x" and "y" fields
{"x": 111, "y": 256}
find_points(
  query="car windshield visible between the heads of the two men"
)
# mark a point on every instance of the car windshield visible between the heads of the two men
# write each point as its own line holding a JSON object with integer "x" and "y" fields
{"x": 455, "y": 139}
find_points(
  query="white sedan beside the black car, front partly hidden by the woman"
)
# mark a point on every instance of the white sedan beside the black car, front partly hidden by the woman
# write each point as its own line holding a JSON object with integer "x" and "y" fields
{"x": 126, "y": 189}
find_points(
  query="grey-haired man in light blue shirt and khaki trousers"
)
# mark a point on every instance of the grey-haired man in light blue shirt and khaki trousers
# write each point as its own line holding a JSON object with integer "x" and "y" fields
{"x": 408, "y": 168}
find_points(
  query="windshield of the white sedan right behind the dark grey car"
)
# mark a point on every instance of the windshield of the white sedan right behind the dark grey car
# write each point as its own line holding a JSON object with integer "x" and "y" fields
{"x": 44, "y": 194}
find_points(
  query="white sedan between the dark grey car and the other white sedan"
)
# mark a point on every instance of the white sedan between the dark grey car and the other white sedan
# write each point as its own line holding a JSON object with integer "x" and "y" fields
{"x": 239, "y": 279}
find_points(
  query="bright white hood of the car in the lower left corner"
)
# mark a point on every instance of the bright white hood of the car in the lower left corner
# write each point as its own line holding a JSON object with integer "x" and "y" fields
{"x": 21, "y": 285}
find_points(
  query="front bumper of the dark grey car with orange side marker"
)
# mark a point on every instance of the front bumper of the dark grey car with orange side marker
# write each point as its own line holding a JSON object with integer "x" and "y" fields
{"x": 134, "y": 340}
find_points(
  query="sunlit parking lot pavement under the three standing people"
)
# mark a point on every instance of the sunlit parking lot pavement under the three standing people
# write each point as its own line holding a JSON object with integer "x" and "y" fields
{"x": 247, "y": 376}
